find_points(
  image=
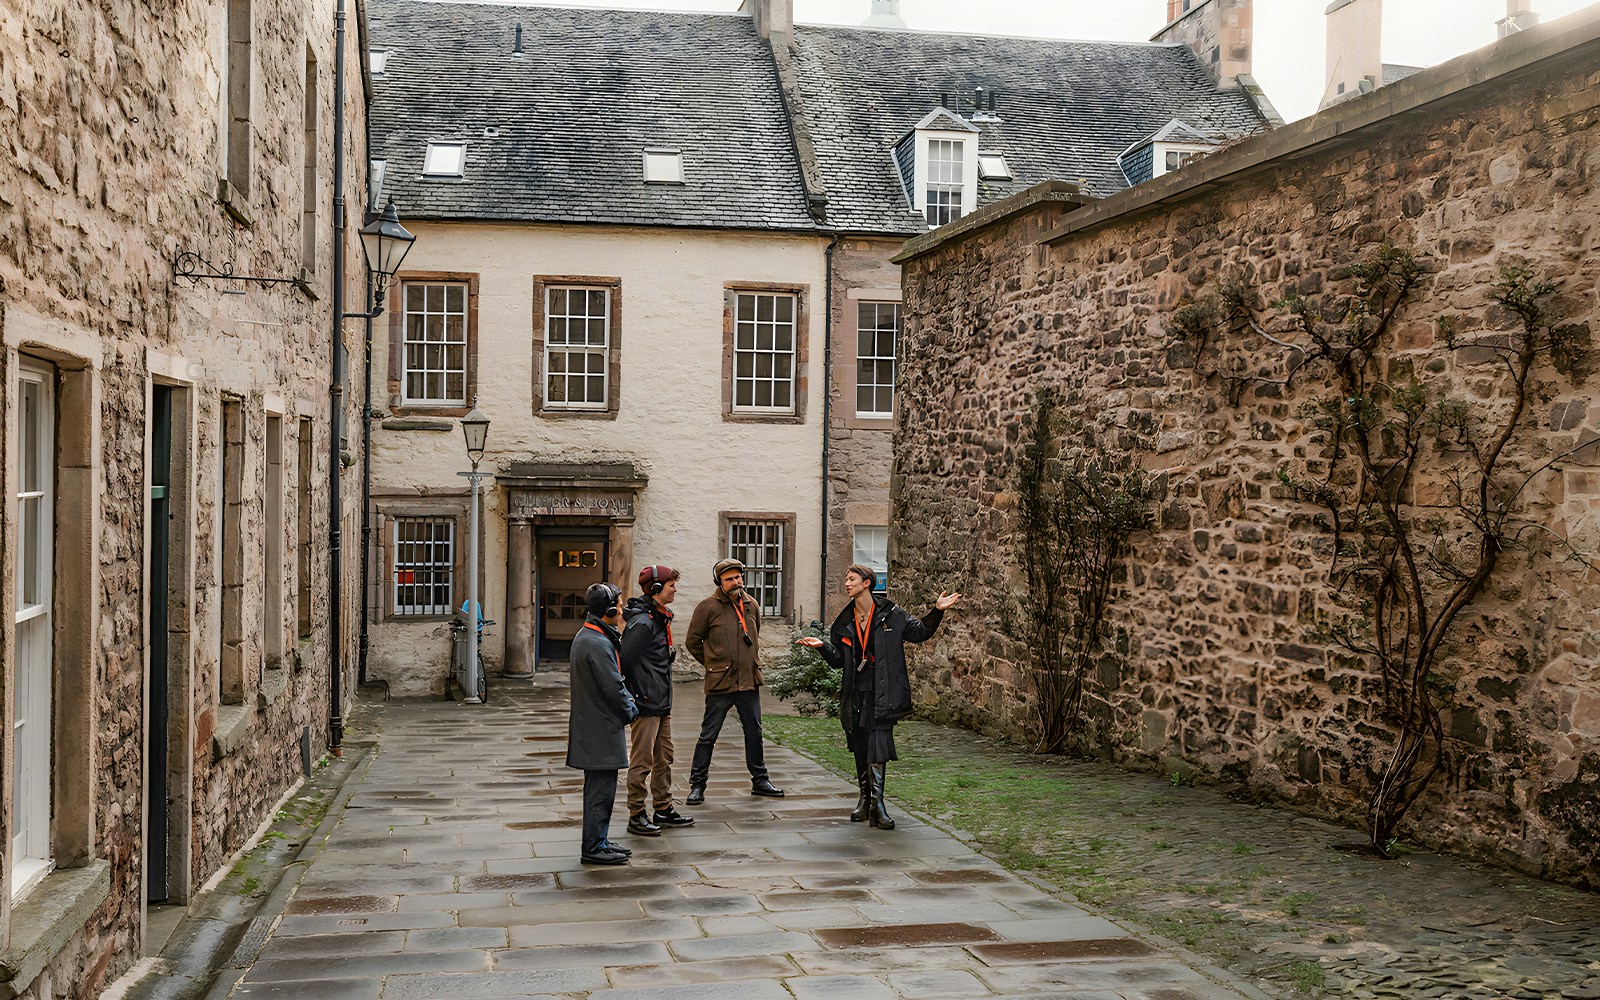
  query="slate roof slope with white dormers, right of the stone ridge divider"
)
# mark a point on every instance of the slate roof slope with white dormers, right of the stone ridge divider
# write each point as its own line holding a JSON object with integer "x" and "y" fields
{"x": 1066, "y": 110}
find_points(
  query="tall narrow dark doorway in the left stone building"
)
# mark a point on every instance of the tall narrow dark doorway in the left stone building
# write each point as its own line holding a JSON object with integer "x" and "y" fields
{"x": 159, "y": 596}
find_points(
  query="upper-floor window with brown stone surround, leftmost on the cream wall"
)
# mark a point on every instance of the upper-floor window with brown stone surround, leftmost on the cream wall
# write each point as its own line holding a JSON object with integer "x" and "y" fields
{"x": 433, "y": 343}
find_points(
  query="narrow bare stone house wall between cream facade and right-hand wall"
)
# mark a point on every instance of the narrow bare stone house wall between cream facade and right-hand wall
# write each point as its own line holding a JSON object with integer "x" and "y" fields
{"x": 860, "y": 450}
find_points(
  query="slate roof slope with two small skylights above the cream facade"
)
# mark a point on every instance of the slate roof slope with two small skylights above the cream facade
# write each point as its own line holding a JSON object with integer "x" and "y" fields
{"x": 570, "y": 119}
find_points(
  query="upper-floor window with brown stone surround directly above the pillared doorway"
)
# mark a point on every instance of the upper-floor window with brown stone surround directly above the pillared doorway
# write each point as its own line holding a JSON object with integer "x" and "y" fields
{"x": 577, "y": 346}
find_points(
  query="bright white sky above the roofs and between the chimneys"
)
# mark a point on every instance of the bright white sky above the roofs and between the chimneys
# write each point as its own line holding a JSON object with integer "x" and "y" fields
{"x": 1290, "y": 34}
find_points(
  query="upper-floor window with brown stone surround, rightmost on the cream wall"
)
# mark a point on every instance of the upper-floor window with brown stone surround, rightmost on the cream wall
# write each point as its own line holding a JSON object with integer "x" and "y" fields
{"x": 764, "y": 353}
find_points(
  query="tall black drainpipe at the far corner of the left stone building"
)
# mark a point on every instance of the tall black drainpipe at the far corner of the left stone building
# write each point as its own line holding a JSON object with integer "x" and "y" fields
{"x": 337, "y": 407}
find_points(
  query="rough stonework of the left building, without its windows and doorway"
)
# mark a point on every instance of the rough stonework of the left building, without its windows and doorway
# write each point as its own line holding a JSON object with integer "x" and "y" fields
{"x": 111, "y": 119}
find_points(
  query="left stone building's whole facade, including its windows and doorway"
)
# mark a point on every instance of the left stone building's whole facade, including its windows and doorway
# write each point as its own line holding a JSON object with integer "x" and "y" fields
{"x": 167, "y": 452}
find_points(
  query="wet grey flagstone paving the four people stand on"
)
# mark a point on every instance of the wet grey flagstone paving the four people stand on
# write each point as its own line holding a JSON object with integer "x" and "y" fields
{"x": 454, "y": 873}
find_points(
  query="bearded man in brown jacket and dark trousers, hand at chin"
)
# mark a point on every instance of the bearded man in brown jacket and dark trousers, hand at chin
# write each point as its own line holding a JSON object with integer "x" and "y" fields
{"x": 724, "y": 636}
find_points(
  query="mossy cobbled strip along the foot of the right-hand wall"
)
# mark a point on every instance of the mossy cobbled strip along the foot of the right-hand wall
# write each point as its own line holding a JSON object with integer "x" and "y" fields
{"x": 1270, "y": 894}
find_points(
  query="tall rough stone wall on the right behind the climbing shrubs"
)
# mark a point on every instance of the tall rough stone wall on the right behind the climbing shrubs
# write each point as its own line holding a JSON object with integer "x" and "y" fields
{"x": 1215, "y": 671}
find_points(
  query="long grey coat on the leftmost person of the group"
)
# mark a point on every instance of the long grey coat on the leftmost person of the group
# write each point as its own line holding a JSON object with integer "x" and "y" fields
{"x": 602, "y": 708}
